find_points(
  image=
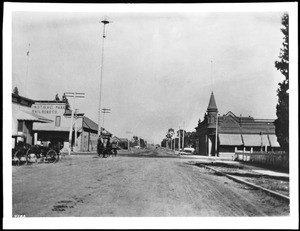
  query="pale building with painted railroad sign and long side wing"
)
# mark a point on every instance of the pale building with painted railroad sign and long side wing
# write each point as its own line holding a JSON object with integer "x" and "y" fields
{"x": 84, "y": 130}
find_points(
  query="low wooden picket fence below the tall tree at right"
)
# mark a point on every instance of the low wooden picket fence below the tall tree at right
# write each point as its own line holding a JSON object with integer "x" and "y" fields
{"x": 273, "y": 159}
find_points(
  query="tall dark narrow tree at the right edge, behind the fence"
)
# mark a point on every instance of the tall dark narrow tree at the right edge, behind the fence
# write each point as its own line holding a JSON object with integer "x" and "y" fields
{"x": 282, "y": 108}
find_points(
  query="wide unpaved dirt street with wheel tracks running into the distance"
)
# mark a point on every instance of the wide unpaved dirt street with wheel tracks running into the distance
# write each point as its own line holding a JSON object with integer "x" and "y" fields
{"x": 150, "y": 183}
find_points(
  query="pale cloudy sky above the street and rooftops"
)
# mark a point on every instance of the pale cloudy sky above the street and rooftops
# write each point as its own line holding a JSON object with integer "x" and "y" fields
{"x": 159, "y": 68}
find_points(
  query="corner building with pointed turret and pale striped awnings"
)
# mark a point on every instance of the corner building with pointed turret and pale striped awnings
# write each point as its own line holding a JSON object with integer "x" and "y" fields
{"x": 234, "y": 133}
